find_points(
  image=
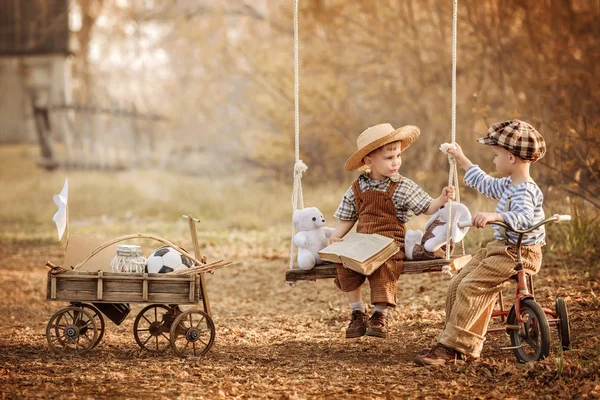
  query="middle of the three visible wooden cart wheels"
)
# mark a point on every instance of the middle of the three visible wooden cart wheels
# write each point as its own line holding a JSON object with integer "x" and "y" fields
{"x": 151, "y": 327}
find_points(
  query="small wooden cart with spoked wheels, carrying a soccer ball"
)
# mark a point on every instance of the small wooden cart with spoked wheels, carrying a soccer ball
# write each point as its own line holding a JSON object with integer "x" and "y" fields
{"x": 78, "y": 328}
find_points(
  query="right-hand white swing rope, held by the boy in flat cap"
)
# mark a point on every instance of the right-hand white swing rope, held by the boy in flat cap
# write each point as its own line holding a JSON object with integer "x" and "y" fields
{"x": 453, "y": 173}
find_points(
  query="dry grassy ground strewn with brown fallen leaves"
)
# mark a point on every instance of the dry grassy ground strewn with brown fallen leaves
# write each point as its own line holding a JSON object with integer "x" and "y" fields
{"x": 273, "y": 341}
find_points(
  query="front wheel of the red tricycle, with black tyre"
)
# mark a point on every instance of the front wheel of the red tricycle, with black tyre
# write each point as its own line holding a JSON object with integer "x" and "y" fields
{"x": 532, "y": 339}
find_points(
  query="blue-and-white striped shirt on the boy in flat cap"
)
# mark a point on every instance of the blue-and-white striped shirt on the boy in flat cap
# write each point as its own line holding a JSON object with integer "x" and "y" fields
{"x": 525, "y": 207}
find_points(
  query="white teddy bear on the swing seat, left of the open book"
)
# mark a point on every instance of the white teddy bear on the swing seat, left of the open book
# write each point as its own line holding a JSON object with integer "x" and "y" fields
{"x": 312, "y": 236}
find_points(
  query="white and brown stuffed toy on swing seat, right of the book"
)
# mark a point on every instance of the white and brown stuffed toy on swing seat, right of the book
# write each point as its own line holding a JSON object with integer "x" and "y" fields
{"x": 431, "y": 244}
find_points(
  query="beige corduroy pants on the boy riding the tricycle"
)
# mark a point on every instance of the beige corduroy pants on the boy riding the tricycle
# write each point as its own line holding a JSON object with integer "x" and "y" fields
{"x": 473, "y": 291}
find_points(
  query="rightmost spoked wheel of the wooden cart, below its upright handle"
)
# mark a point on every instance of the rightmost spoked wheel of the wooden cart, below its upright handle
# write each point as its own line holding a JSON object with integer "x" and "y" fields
{"x": 192, "y": 333}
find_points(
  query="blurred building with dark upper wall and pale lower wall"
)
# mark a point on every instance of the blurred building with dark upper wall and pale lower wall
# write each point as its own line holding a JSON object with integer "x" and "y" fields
{"x": 34, "y": 62}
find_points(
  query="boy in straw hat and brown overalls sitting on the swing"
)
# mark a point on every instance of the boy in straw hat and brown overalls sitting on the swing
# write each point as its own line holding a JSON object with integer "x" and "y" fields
{"x": 382, "y": 202}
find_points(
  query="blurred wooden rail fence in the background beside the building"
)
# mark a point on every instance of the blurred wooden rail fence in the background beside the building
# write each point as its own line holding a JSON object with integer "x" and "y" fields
{"x": 91, "y": 137}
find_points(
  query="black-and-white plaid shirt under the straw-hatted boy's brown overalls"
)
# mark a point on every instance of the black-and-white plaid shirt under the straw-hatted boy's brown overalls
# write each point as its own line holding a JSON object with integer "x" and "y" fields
{"x": 409, "y": 198}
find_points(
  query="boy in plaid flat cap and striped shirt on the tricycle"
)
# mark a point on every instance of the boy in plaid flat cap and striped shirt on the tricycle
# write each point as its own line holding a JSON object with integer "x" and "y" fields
{"x": 472, "y": 292}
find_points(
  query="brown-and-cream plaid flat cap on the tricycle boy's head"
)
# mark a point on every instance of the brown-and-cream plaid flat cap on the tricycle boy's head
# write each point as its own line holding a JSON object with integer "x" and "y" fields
{"x": 518, "y": 137}
